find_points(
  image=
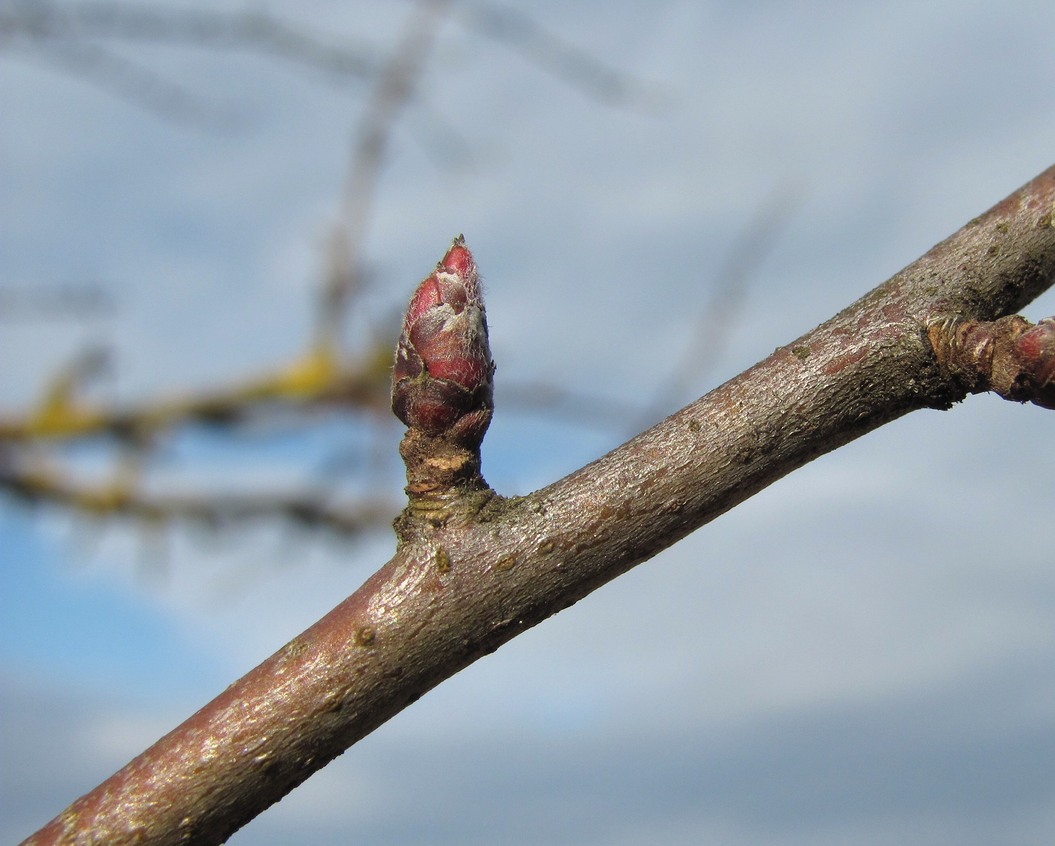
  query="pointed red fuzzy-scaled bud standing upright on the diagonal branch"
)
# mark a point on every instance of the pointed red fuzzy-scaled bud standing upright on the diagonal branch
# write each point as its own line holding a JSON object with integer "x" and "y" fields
{"x": 443, "y": 379}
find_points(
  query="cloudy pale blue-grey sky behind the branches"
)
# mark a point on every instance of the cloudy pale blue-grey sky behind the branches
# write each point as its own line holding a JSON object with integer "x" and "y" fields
{"x": 861, "y": 653}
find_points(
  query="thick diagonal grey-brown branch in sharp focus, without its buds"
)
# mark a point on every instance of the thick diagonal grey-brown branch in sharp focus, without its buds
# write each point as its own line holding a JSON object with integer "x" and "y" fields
{"x": 473, "y": 570}
